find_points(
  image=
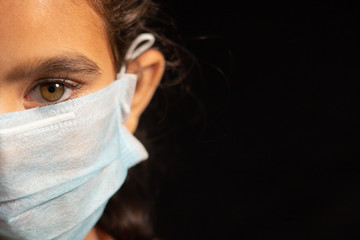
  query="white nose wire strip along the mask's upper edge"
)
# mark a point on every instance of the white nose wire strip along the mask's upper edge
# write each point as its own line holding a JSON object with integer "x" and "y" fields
{"x": 38, "y": 124}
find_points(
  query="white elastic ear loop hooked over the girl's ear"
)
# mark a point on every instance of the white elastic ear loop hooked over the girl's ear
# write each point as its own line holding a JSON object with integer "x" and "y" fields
{"x": 134, "y": 50}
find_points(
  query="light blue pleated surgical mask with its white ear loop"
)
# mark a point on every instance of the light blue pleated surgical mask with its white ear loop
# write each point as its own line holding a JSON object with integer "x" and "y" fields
{"x": 60, "y": 164}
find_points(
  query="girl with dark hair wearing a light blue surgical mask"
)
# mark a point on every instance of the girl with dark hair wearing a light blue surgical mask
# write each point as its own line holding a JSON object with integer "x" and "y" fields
{"x": 69, "y": 108}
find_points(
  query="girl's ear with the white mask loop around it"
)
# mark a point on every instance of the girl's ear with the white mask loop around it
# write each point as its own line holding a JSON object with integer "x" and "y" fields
{"x": 149, "y": 68}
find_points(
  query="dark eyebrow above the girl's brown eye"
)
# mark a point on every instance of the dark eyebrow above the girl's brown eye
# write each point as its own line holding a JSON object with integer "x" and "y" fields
{"x": 67, "y": 63}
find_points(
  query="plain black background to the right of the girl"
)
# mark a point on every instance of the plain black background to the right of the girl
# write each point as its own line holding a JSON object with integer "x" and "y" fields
{"x": 279, "y": 159}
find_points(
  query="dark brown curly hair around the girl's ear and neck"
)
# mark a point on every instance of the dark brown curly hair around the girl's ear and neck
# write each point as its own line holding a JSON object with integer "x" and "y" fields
{"x": 129, "y": 213}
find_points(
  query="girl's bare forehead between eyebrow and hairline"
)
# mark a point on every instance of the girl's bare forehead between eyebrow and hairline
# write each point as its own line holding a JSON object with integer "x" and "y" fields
{"x": 44, "y": 28}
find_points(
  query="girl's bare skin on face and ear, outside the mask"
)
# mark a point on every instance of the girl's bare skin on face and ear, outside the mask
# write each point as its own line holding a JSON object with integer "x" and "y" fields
{"x": 37, "y": 35}
